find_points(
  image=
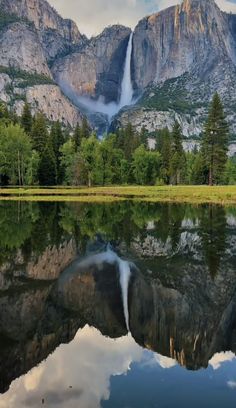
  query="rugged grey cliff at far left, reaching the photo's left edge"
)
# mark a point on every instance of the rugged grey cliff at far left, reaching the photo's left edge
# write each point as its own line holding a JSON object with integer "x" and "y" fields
{"x": 30, "y": 39}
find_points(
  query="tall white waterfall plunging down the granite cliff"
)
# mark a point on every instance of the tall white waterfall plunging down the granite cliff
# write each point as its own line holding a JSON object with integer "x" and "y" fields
{"x": 126, "y": 86}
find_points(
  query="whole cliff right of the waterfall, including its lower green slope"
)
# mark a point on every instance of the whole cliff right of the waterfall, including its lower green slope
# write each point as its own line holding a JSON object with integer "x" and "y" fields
{"x": 181, "y": 57}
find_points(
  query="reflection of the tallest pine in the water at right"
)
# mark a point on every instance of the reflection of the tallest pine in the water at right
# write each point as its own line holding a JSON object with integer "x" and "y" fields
{"x": 213, "y": 235}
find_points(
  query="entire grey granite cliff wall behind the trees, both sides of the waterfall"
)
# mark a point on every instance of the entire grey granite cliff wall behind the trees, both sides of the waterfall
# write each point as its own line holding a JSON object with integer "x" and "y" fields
{"x": 180, "y": 57}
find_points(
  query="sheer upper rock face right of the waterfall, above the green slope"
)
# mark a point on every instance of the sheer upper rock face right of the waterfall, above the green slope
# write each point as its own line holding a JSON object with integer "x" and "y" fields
{"x": 193, "y": 36}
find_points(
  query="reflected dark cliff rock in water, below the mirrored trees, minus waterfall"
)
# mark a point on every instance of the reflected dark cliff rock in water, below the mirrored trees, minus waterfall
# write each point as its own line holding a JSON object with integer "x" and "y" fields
{"x": 188, "y": 317}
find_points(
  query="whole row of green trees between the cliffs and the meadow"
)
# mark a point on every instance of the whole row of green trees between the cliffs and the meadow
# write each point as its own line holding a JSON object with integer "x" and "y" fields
{"x": 35, "y": 152}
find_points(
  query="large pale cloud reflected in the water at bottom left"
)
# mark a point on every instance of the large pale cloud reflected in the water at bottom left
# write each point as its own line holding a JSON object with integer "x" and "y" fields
{"x": 78, "y": 373}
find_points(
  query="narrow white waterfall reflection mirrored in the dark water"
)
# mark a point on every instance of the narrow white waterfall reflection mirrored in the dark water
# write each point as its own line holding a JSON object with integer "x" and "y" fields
{"x": 125, "y": 273}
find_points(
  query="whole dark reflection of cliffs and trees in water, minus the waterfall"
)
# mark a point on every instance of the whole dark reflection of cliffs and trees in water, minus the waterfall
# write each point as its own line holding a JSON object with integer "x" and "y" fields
{"x": 176, "y": 307}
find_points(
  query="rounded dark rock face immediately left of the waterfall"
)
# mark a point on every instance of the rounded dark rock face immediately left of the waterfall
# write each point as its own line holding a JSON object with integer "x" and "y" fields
{"x": 97, "y": 69}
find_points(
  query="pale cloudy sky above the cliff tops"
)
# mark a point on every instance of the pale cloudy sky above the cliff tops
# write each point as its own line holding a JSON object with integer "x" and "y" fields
{"x": 92, "y": 16}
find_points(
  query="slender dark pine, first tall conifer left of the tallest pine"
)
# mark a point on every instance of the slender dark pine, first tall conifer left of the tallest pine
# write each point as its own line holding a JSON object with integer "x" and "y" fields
{"x": 177, "y": 162}
